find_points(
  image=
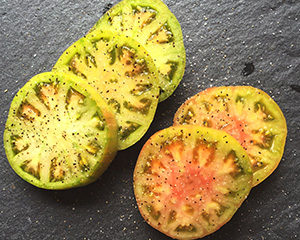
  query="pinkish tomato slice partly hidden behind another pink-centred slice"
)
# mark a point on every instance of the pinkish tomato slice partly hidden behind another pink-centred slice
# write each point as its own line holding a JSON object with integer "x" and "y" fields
{"x": 249, "y": 115}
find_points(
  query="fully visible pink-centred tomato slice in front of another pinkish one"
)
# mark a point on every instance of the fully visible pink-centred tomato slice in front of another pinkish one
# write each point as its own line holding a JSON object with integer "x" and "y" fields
{"x": 190, "y": 180}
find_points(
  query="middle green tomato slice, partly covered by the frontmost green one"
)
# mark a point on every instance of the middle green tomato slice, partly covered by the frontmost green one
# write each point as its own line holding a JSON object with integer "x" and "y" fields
{"x": 125, "y": 76}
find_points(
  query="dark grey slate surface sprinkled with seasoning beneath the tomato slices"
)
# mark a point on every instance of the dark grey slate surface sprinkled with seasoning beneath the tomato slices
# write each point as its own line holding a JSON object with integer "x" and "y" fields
{"x": 223, "y": 39}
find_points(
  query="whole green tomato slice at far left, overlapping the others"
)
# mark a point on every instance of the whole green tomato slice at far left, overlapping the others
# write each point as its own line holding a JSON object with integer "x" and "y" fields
{"x": 59, "y": 133}
